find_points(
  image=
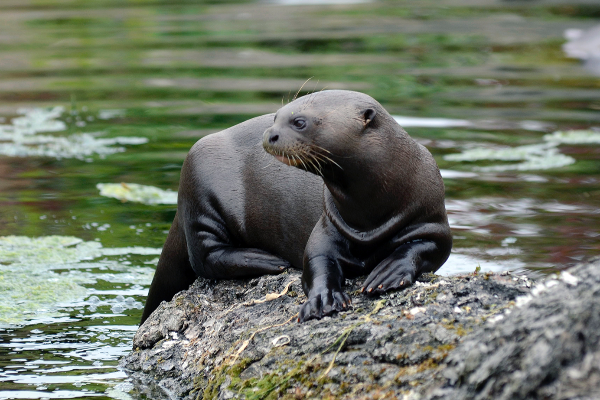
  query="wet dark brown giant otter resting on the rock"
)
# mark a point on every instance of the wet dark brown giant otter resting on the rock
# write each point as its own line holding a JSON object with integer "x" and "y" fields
{"x": 358, "y": 196}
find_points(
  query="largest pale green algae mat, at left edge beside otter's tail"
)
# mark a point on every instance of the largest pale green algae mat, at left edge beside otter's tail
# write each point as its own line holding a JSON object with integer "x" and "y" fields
{"x": 39, "y": 276}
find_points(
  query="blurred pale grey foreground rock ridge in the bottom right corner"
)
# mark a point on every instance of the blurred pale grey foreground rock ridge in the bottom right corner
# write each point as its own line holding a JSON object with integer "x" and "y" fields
{"x": 548, "y": 347}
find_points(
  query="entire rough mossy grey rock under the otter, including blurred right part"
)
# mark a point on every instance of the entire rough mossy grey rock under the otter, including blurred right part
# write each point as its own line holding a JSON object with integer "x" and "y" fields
{"x": 443, "y": 338}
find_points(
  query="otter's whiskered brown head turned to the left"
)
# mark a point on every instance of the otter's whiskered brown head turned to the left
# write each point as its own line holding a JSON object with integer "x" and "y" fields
{"x": 322, "y": 131}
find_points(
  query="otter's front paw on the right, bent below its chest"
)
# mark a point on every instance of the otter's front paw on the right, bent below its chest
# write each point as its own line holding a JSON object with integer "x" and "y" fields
{"x": 387, "y": 277}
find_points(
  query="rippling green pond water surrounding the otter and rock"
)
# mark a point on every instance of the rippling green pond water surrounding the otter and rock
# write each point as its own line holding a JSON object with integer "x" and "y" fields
{"x": 104, "y": 98}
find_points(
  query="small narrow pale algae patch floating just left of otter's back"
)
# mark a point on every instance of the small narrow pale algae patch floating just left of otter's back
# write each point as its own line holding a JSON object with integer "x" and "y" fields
{"x": 137, "y": 193}
